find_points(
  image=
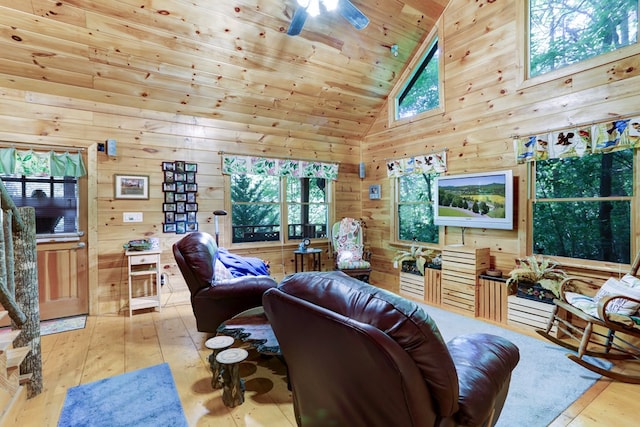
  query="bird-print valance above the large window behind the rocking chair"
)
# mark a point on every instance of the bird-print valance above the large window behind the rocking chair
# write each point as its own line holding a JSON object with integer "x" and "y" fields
{"x": 576, "y": 142}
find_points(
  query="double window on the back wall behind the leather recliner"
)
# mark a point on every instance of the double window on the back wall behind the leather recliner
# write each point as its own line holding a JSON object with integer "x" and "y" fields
{"x": 263, "y": 206}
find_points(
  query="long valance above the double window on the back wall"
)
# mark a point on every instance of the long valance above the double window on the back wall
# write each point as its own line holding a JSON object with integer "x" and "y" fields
{"x": 250, "y": 165}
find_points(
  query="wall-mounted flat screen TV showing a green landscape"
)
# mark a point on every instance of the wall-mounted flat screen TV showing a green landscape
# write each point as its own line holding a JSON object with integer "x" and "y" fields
{"x": 478, "y": 200}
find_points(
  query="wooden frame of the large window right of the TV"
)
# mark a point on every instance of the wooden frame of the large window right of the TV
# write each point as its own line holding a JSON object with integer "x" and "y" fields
{"x": 634, "y": 238}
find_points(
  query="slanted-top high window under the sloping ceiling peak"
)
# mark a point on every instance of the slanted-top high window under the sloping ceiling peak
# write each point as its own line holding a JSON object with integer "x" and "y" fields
{"x": 422, "y": 89}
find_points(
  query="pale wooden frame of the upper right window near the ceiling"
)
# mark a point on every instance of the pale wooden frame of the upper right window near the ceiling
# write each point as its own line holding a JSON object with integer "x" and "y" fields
{"x": 525, "y": 81}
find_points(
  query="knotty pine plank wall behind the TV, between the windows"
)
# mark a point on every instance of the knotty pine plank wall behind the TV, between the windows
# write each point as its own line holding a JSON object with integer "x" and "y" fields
{"x": 485, "y": 104}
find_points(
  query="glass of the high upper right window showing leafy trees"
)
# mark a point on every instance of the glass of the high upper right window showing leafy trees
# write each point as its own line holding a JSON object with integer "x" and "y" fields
{"x": 564, "y": 32}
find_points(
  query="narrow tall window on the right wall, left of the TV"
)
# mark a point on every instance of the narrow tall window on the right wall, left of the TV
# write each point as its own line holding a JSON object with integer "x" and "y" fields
{"x": 415, "y": 194}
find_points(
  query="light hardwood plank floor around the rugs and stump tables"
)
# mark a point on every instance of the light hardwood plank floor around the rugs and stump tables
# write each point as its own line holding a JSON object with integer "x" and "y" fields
{"x": 112, "y": 345}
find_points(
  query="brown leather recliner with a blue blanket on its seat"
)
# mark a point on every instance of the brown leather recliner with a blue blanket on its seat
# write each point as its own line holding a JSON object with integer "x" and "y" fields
{"x": 214, "y": 301}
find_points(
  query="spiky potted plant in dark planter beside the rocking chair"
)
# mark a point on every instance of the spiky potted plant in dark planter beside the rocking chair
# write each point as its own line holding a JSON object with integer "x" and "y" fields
{"x": 537, "y": 278}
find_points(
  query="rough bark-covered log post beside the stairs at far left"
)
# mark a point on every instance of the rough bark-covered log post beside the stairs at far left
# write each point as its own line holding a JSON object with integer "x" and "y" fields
{"x": 27, "y": 297}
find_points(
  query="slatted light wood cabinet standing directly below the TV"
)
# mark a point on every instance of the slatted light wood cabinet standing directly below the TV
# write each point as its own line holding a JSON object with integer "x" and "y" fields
{"x": 461, "y": 266}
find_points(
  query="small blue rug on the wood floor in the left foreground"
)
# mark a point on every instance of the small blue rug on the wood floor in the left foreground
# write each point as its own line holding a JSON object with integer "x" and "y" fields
{"x": 146, "y": 397}
